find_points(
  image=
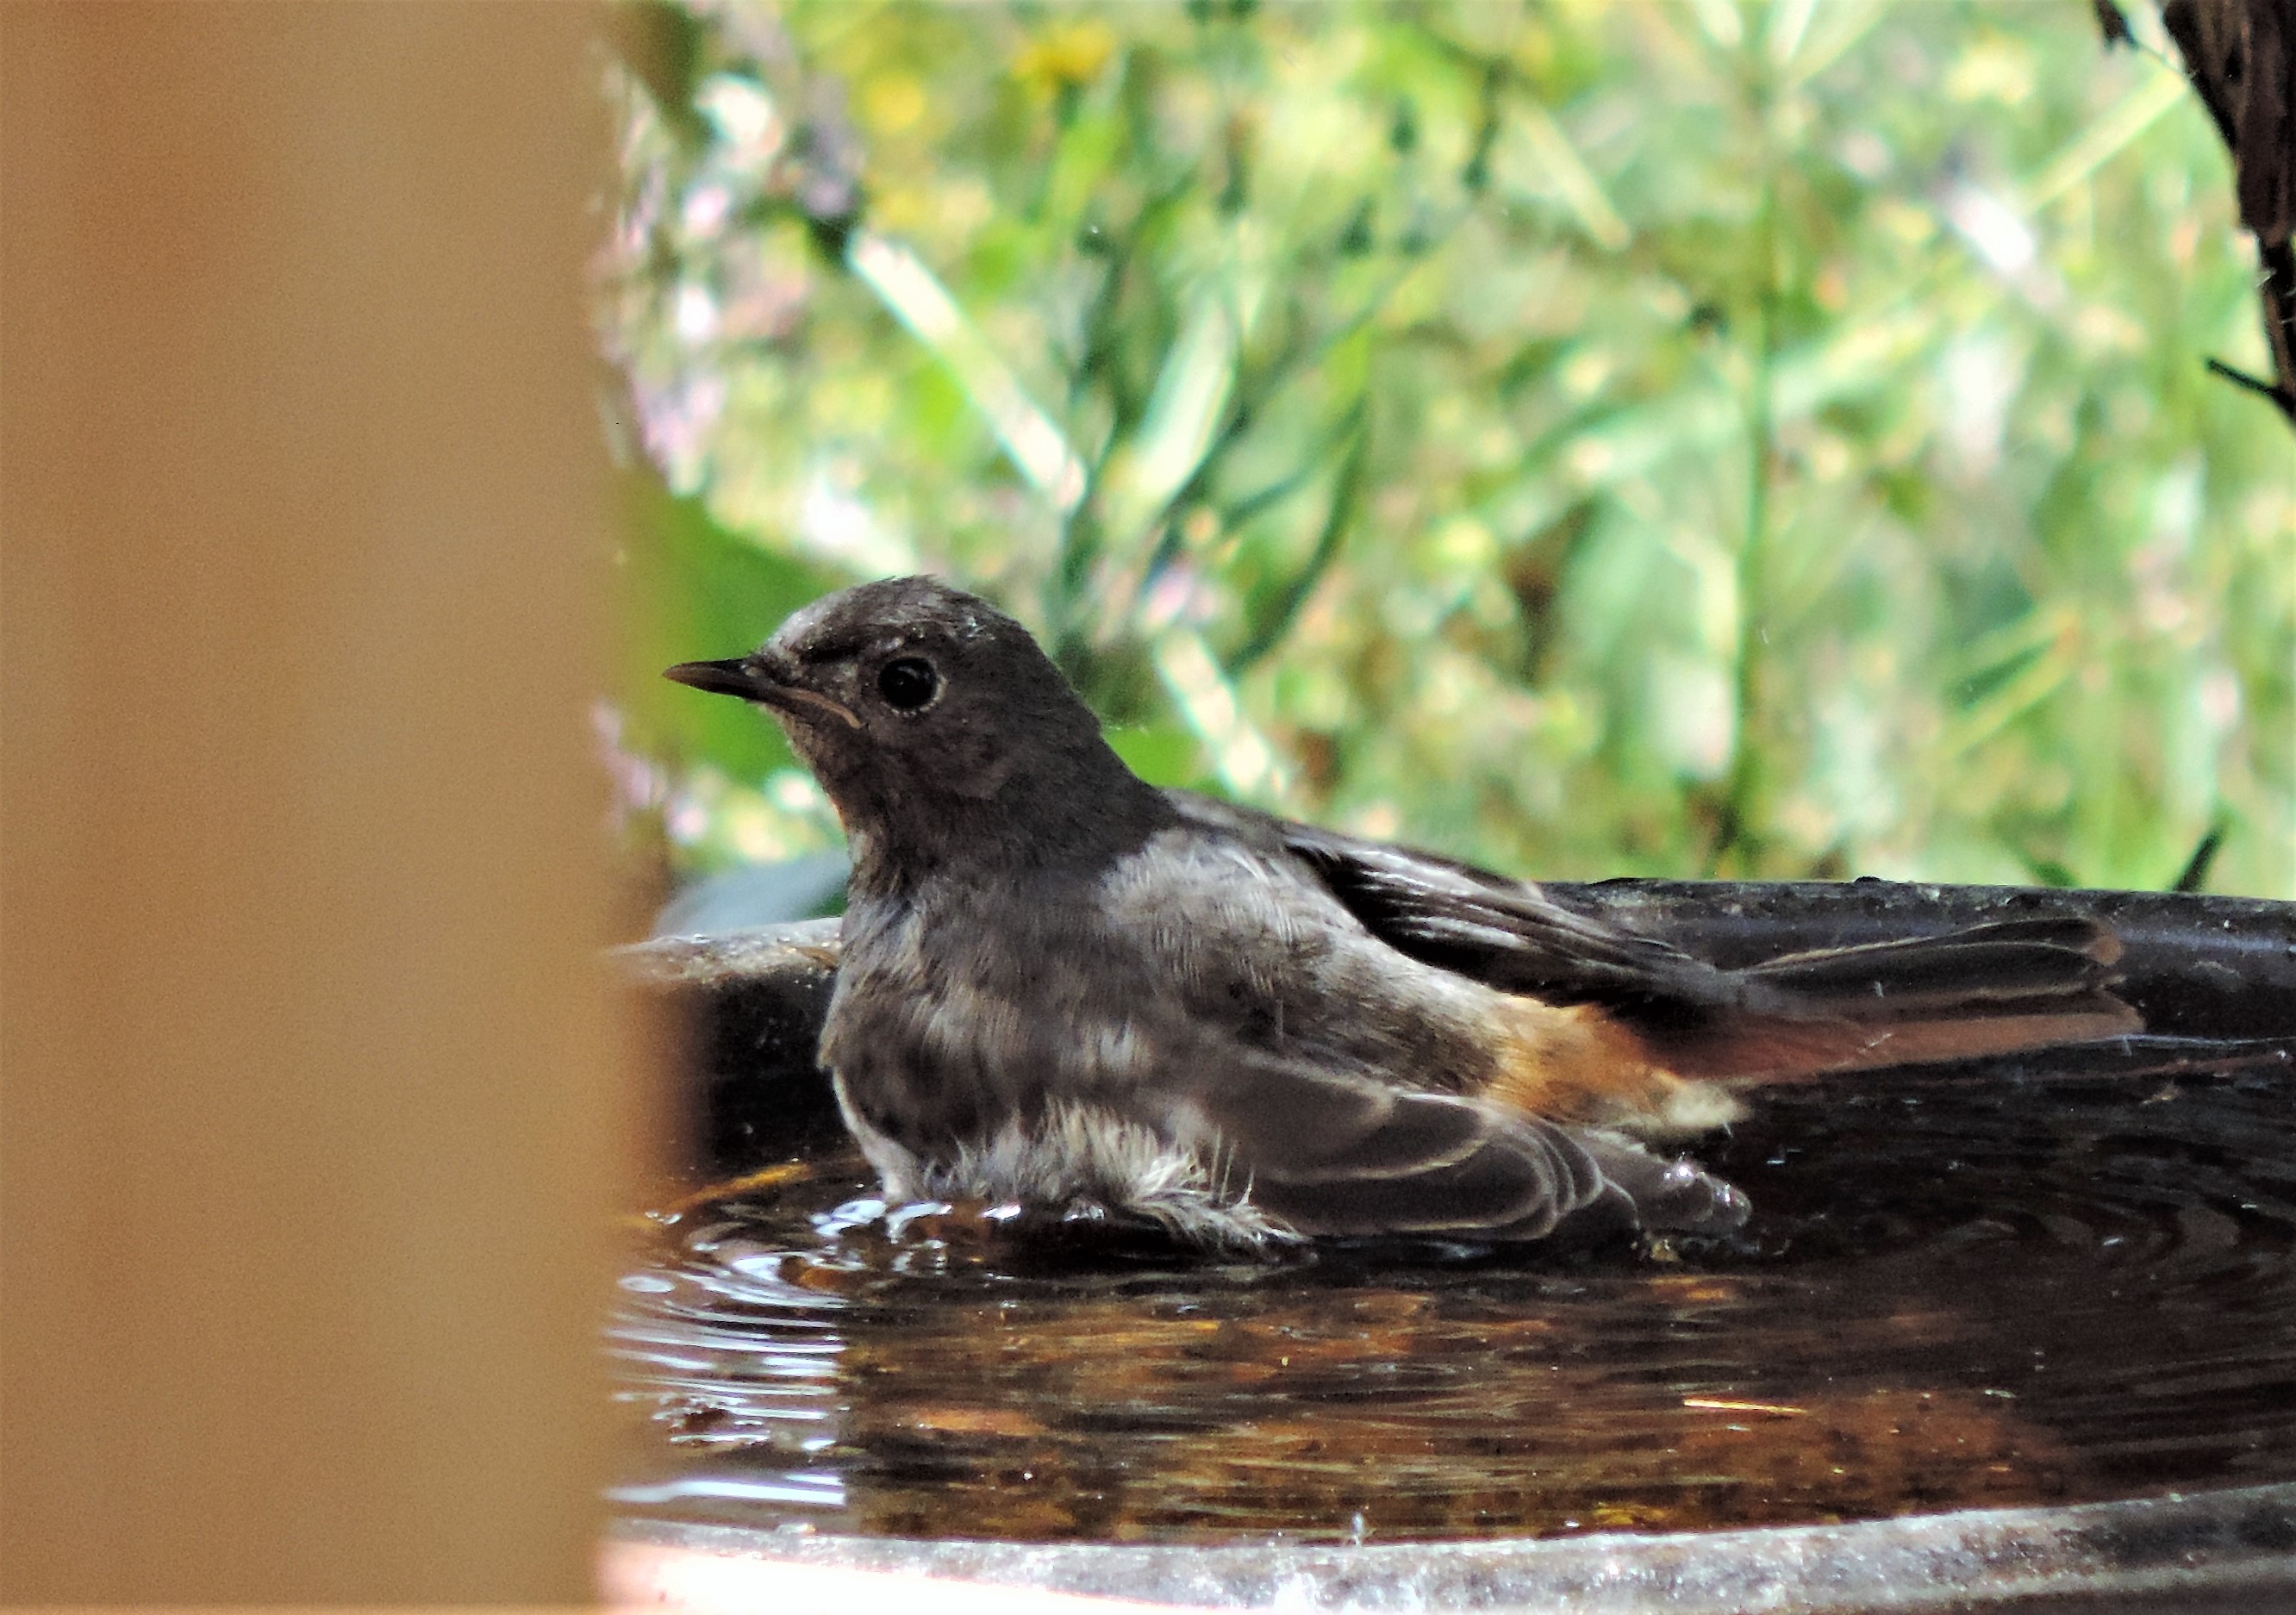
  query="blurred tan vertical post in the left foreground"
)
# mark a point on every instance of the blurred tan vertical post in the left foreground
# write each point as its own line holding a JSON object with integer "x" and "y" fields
{"x": 309, "y": 1127}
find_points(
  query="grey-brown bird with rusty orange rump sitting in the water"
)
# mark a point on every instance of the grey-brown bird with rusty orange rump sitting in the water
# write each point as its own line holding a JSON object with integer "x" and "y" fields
{"x": 1069, "y": 991}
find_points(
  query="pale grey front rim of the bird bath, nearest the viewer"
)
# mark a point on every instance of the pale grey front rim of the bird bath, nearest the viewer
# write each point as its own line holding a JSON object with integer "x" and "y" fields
{"x": 2185, "y": 1552}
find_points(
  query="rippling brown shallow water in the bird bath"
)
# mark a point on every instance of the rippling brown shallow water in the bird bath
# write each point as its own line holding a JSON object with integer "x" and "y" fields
{"x": 1987, "y": 1292}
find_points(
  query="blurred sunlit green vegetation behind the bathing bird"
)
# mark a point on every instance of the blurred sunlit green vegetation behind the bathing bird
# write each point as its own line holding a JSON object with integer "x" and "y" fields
{"x": 1583, "y": 438}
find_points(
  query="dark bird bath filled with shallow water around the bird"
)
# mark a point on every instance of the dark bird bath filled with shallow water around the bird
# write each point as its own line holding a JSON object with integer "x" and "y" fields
{"x": 2001, "y": 1331}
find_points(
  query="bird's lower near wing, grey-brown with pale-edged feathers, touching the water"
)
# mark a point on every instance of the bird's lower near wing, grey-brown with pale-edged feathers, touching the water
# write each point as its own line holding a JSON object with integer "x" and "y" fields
{"x": 1344, "y": 1154}
